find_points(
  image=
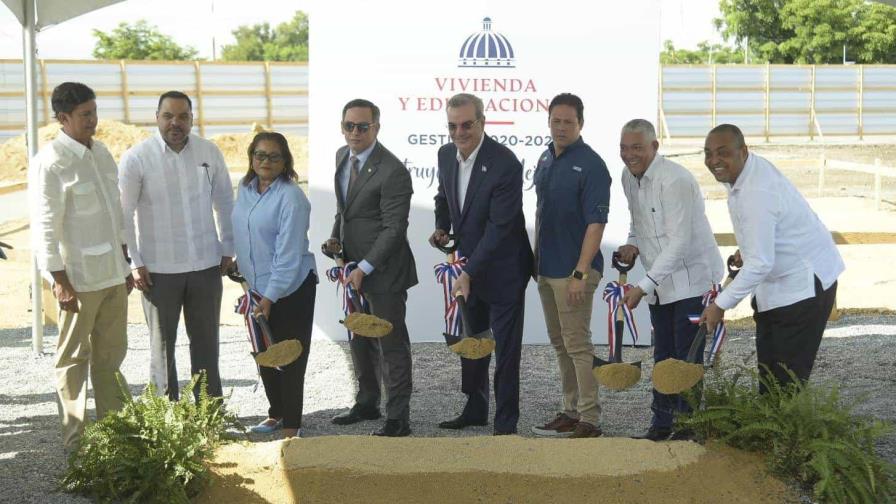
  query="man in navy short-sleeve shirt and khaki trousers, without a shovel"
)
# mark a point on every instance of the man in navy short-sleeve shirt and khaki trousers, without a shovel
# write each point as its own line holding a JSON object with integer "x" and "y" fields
{"x": 573, "y": 188}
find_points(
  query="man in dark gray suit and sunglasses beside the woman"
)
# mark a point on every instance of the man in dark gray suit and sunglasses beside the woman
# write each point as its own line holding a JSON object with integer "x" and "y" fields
{"x": 373, "y": 194}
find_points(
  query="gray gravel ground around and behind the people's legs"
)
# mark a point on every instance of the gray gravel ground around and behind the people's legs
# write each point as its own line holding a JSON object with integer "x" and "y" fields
{"x": 857, "y": 353}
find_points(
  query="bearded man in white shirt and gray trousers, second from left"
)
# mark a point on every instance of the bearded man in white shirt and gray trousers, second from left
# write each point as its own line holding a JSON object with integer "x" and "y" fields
{"x": 177, "y": 183}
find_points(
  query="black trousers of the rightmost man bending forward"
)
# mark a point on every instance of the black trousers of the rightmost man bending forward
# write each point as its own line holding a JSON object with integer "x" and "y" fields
{"x": 788, "y": 337}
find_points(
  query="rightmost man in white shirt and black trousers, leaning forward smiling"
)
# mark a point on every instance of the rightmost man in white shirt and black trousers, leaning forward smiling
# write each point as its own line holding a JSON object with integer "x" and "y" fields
{"x": 790, "y": 262}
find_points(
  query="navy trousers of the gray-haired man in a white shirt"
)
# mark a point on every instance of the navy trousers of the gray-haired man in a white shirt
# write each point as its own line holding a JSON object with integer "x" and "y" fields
{"x": 673, "y": 334}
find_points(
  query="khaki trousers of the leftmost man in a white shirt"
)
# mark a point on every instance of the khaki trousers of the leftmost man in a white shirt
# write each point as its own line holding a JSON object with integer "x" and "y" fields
{"x": 93, "y": 340}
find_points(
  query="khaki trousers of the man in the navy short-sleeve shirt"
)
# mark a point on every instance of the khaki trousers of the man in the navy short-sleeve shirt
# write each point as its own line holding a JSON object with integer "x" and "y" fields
{"x": 569, "y": 329}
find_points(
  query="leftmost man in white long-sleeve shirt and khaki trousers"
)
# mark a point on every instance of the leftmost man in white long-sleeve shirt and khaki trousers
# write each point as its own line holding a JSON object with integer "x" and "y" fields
{"x": 79, "y": 240}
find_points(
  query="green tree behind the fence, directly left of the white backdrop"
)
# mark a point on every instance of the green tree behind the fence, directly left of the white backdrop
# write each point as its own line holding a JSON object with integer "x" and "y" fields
{"x": 287, "y": 42}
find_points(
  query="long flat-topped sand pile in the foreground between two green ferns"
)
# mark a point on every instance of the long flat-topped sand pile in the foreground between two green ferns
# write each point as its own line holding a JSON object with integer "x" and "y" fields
{"x": 487, "y": 469}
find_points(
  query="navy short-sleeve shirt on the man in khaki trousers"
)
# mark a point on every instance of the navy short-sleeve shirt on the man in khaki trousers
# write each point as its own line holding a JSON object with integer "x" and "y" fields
{"x": 573, "y": 191}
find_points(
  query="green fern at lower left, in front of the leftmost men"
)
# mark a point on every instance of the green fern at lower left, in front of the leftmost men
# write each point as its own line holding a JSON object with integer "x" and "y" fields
{"x": 153, "y": 450}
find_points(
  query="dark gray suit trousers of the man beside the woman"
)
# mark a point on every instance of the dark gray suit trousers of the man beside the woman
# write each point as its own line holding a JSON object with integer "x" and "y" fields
{"x": 386, "y": 359}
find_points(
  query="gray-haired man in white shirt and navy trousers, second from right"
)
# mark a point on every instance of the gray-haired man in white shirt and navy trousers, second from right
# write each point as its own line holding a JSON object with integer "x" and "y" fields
{"x": 670, "y": 233}
